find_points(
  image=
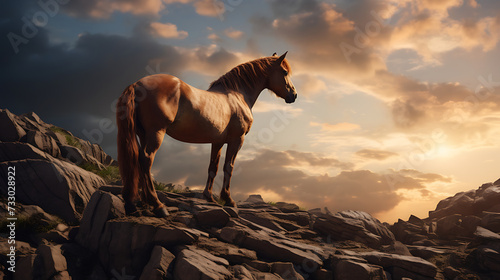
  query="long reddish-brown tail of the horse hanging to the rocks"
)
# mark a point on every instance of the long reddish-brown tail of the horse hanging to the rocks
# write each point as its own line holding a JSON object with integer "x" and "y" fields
{"x": 128, "y": 147}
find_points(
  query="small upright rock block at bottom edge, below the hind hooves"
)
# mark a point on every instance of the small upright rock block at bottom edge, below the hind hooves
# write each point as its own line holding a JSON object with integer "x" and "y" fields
{"x": 158, "y": 265}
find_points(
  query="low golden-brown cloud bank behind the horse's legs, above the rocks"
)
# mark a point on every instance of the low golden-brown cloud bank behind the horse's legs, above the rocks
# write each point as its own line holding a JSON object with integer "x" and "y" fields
{"x": 280, "y": 175}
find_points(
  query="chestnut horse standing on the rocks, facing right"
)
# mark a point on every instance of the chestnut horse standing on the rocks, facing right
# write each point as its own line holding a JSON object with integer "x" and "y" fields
{"x": 163, "y": 104}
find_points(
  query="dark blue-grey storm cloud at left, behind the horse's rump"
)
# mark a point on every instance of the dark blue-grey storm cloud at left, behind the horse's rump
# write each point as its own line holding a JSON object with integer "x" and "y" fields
{"x": 76, "y": 86}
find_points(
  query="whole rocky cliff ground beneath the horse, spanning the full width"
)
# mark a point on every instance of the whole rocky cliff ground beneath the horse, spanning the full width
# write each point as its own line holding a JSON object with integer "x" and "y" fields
{"x": 71, "y": 225}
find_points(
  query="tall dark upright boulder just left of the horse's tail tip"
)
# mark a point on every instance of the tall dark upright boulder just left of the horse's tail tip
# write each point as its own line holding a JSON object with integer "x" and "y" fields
{"x": 102, "y": 207}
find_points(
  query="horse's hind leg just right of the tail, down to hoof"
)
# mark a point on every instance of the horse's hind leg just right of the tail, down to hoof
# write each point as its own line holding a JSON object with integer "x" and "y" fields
{"x": 149, "y": 146}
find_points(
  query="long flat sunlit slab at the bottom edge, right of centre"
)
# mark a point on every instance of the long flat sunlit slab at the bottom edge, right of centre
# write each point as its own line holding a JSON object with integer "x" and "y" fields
{"x": 412, "y": 264}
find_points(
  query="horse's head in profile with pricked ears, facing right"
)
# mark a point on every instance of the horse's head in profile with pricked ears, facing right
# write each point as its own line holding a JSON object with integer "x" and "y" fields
{"x": 279, "y": 79}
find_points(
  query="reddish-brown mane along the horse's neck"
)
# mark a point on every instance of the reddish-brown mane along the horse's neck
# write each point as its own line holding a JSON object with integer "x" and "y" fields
{"x": 248, "y": 73}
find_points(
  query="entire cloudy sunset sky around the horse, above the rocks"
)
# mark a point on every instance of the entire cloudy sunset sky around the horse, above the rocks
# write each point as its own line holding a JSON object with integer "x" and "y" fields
{"x": 398, "y": 100}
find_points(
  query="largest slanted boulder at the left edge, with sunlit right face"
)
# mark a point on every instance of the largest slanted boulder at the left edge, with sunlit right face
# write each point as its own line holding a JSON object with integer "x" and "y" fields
{"x": 58, "y": 187}
